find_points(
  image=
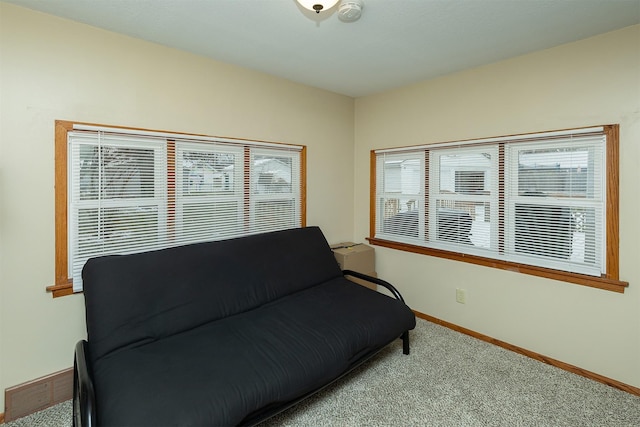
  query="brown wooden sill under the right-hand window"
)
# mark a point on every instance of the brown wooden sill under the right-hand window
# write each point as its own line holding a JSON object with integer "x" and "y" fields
{"x": 605, "y": 283}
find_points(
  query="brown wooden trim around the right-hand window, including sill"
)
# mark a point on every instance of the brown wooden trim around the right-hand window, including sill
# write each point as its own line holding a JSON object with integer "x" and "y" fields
{"x": 609, "y": 281}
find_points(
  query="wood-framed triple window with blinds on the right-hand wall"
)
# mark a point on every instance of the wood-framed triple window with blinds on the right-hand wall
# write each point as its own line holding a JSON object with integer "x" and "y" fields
{"x": 542, "y": 204}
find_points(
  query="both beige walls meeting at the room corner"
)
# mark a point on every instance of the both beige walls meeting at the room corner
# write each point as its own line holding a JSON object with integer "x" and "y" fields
{"x": 55, "y": 69}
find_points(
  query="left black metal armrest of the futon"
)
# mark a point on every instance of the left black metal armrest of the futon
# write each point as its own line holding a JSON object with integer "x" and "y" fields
{"x": 84, "y": 400}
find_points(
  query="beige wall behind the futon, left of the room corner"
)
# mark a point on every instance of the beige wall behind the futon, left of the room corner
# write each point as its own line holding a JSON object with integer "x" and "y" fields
{"x": 56, "y": 69}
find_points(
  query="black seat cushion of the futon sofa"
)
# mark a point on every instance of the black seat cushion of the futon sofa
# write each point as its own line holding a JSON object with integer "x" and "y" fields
{"x": 221, "y": 372}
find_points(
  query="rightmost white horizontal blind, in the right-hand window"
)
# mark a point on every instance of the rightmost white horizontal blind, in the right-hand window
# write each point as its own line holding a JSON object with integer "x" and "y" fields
{"x": 555, "y": 203}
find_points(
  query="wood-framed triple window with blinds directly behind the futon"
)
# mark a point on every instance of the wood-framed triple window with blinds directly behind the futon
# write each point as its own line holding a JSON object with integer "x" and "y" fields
{"x": 122, "y": 191}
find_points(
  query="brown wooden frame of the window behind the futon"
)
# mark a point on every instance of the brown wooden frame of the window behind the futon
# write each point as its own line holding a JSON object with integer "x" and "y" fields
{"x": 63, "y": 283}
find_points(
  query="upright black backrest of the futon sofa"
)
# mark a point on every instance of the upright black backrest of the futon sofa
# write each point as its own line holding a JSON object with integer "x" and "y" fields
{"x": 137, "y": 298}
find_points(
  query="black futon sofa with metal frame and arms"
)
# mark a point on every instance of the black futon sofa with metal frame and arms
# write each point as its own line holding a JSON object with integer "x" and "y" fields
{"x": 224, "y": 333}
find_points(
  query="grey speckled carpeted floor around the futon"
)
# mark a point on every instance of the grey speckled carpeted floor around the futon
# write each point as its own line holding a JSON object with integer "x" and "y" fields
{"x": 449, "y": 379}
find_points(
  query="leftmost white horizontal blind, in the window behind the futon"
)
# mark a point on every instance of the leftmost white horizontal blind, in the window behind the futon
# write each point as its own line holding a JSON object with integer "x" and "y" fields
{"x": 117, "y": 202}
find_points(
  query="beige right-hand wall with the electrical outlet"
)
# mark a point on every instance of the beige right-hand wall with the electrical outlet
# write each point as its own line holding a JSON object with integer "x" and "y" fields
{"x": 591, "y": 82}
